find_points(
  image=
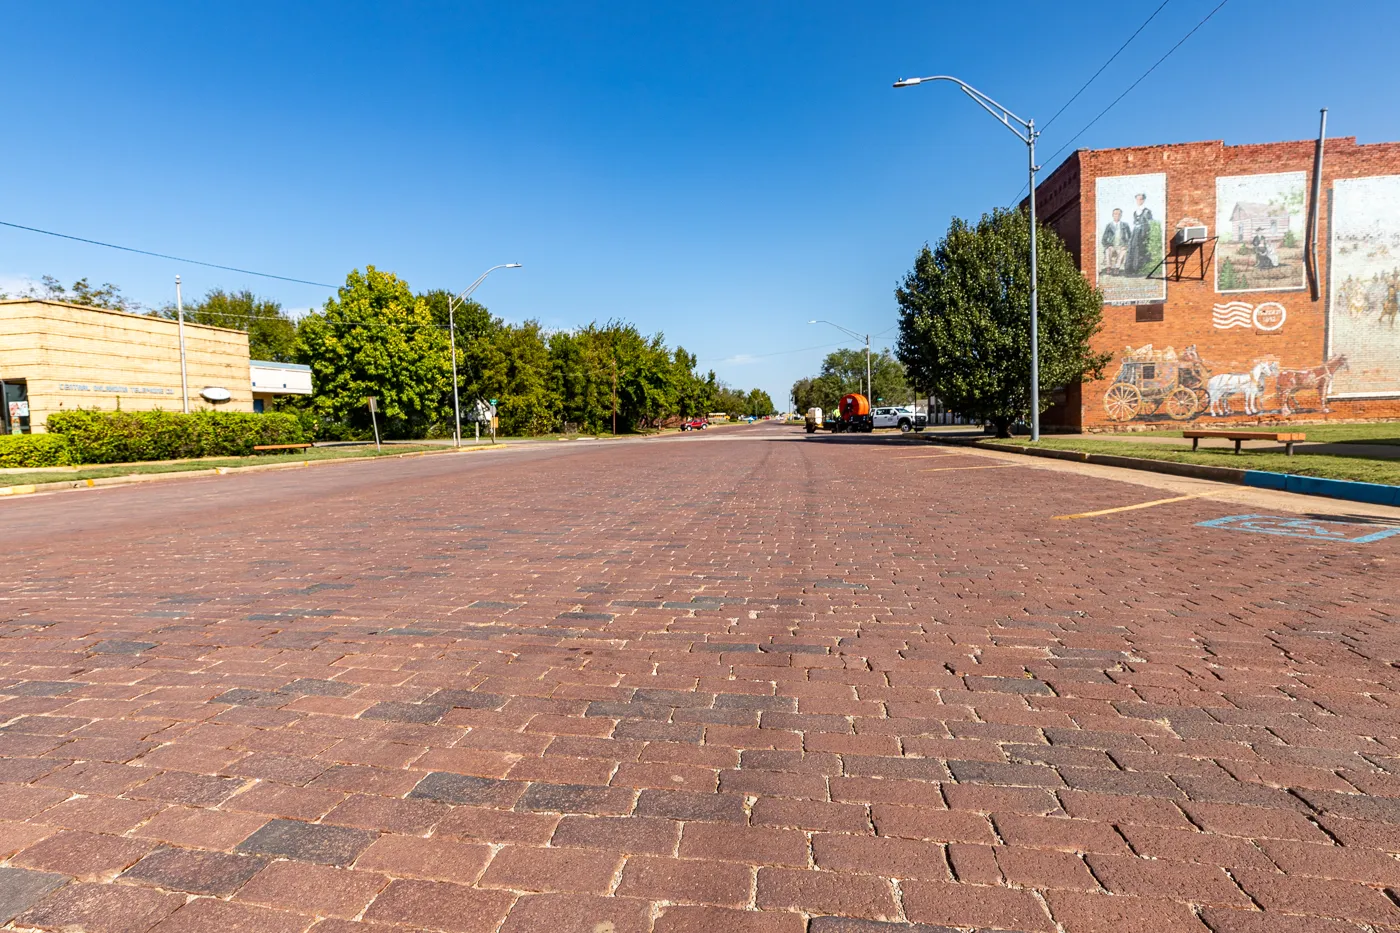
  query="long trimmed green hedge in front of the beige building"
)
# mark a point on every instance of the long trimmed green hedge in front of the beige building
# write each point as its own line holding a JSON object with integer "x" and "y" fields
{"x": 122, "y": 438}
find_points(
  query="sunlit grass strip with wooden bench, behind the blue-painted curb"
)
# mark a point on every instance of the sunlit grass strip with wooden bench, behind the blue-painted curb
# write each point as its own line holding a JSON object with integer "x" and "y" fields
{"x": 1326, "y": 466}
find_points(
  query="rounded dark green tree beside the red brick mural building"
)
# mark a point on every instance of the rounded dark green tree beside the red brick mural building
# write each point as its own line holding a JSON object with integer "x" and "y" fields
{"x": 965, "y": 324}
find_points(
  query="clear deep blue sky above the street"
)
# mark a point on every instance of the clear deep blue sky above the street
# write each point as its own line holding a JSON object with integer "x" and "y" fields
{"x": 720, "y": 172}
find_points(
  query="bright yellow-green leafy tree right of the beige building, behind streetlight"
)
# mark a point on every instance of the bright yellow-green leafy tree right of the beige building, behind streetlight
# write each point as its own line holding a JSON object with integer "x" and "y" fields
{"x": 377, "y": 338}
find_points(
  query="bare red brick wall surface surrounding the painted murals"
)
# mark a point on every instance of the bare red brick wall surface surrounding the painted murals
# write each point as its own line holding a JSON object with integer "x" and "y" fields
{"x": 1186, "y": 320}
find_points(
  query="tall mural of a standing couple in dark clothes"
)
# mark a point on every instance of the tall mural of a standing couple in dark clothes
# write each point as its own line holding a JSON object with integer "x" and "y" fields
{"x": 1132, "y": 214}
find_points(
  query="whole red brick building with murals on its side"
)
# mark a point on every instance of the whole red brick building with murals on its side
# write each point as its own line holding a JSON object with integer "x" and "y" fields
{"x": 1216, "y": 307}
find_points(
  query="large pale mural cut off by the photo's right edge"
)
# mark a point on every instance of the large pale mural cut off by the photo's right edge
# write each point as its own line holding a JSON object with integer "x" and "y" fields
{"x": 1364, "y": 313}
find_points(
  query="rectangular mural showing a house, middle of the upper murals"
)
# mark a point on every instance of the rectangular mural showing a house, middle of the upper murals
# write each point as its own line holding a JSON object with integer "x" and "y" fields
{"x": 1261, "y": 222}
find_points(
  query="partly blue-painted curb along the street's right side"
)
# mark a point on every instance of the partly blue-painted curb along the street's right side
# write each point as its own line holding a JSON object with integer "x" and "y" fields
{"x": 1350, "y": 491}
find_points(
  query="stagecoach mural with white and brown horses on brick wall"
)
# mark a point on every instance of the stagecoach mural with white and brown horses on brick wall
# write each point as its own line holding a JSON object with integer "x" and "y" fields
{"x": 1168, "y": 385}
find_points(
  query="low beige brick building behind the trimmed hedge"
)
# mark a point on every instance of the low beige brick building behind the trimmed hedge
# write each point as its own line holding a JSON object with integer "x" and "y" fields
{"x": 58, "y": 357}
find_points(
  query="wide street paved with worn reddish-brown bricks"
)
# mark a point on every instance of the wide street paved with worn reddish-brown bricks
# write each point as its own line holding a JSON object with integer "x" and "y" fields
{"x": 750, "y": 683}
